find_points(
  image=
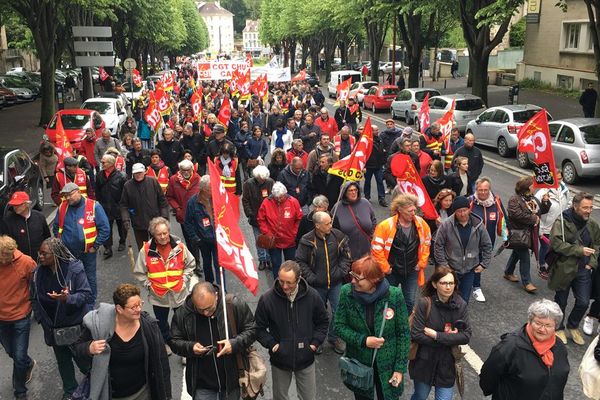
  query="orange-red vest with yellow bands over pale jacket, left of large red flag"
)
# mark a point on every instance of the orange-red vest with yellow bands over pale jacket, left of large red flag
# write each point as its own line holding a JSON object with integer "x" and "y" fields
{"x": 165, "y": 275}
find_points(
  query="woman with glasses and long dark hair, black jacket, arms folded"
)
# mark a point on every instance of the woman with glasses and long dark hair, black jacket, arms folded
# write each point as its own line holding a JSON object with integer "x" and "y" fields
{"x": 440, "y": 323}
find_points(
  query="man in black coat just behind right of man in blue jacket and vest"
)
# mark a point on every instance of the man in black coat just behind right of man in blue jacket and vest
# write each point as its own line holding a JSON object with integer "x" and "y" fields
{"x": 109, "y": 187}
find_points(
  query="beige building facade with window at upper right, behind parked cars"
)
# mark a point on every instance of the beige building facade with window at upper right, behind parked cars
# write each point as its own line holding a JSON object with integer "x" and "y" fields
{"x": 558, "y": 47}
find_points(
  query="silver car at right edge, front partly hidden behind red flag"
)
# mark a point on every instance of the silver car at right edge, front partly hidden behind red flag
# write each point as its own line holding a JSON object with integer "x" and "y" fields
{"x": 576, "y": 147}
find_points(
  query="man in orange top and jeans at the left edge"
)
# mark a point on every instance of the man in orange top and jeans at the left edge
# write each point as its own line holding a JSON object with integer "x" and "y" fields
{"x": 16, "y": 272}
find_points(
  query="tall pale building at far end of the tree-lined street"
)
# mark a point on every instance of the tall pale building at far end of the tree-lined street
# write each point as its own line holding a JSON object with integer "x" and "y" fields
{"x": 219, "y": 22}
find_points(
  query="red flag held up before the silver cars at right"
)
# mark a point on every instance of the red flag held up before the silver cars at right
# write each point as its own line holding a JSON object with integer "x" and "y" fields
{"x": 534, "y": 137}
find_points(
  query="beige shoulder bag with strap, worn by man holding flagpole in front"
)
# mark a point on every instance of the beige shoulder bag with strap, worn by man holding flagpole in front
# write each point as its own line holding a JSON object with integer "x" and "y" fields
{"x": 251, "y": 367}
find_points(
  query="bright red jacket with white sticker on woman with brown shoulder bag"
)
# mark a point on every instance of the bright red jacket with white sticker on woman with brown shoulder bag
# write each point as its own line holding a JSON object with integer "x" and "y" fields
{"x": 281, "y": 220}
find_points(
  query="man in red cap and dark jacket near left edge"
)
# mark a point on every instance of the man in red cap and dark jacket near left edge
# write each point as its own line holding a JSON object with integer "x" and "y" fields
{"x": 27, "y": 226}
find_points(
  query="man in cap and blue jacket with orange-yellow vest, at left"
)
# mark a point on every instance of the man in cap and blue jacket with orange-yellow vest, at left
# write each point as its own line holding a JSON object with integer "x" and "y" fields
{"x": 82, "y": 225}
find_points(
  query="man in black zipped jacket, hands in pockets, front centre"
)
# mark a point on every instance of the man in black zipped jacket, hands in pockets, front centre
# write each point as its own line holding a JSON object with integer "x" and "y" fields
{"x": 291, "y": 322}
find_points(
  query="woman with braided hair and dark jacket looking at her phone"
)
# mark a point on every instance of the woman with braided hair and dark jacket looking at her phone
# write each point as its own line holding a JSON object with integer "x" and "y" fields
{"x": 60, "y": 293}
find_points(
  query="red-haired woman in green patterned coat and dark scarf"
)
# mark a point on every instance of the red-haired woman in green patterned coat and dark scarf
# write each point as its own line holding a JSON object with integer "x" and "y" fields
{"x": 358, "y": 321}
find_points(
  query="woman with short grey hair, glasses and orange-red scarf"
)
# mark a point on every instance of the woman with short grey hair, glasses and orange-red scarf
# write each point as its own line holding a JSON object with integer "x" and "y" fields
{"x": 529, "y": 364}
